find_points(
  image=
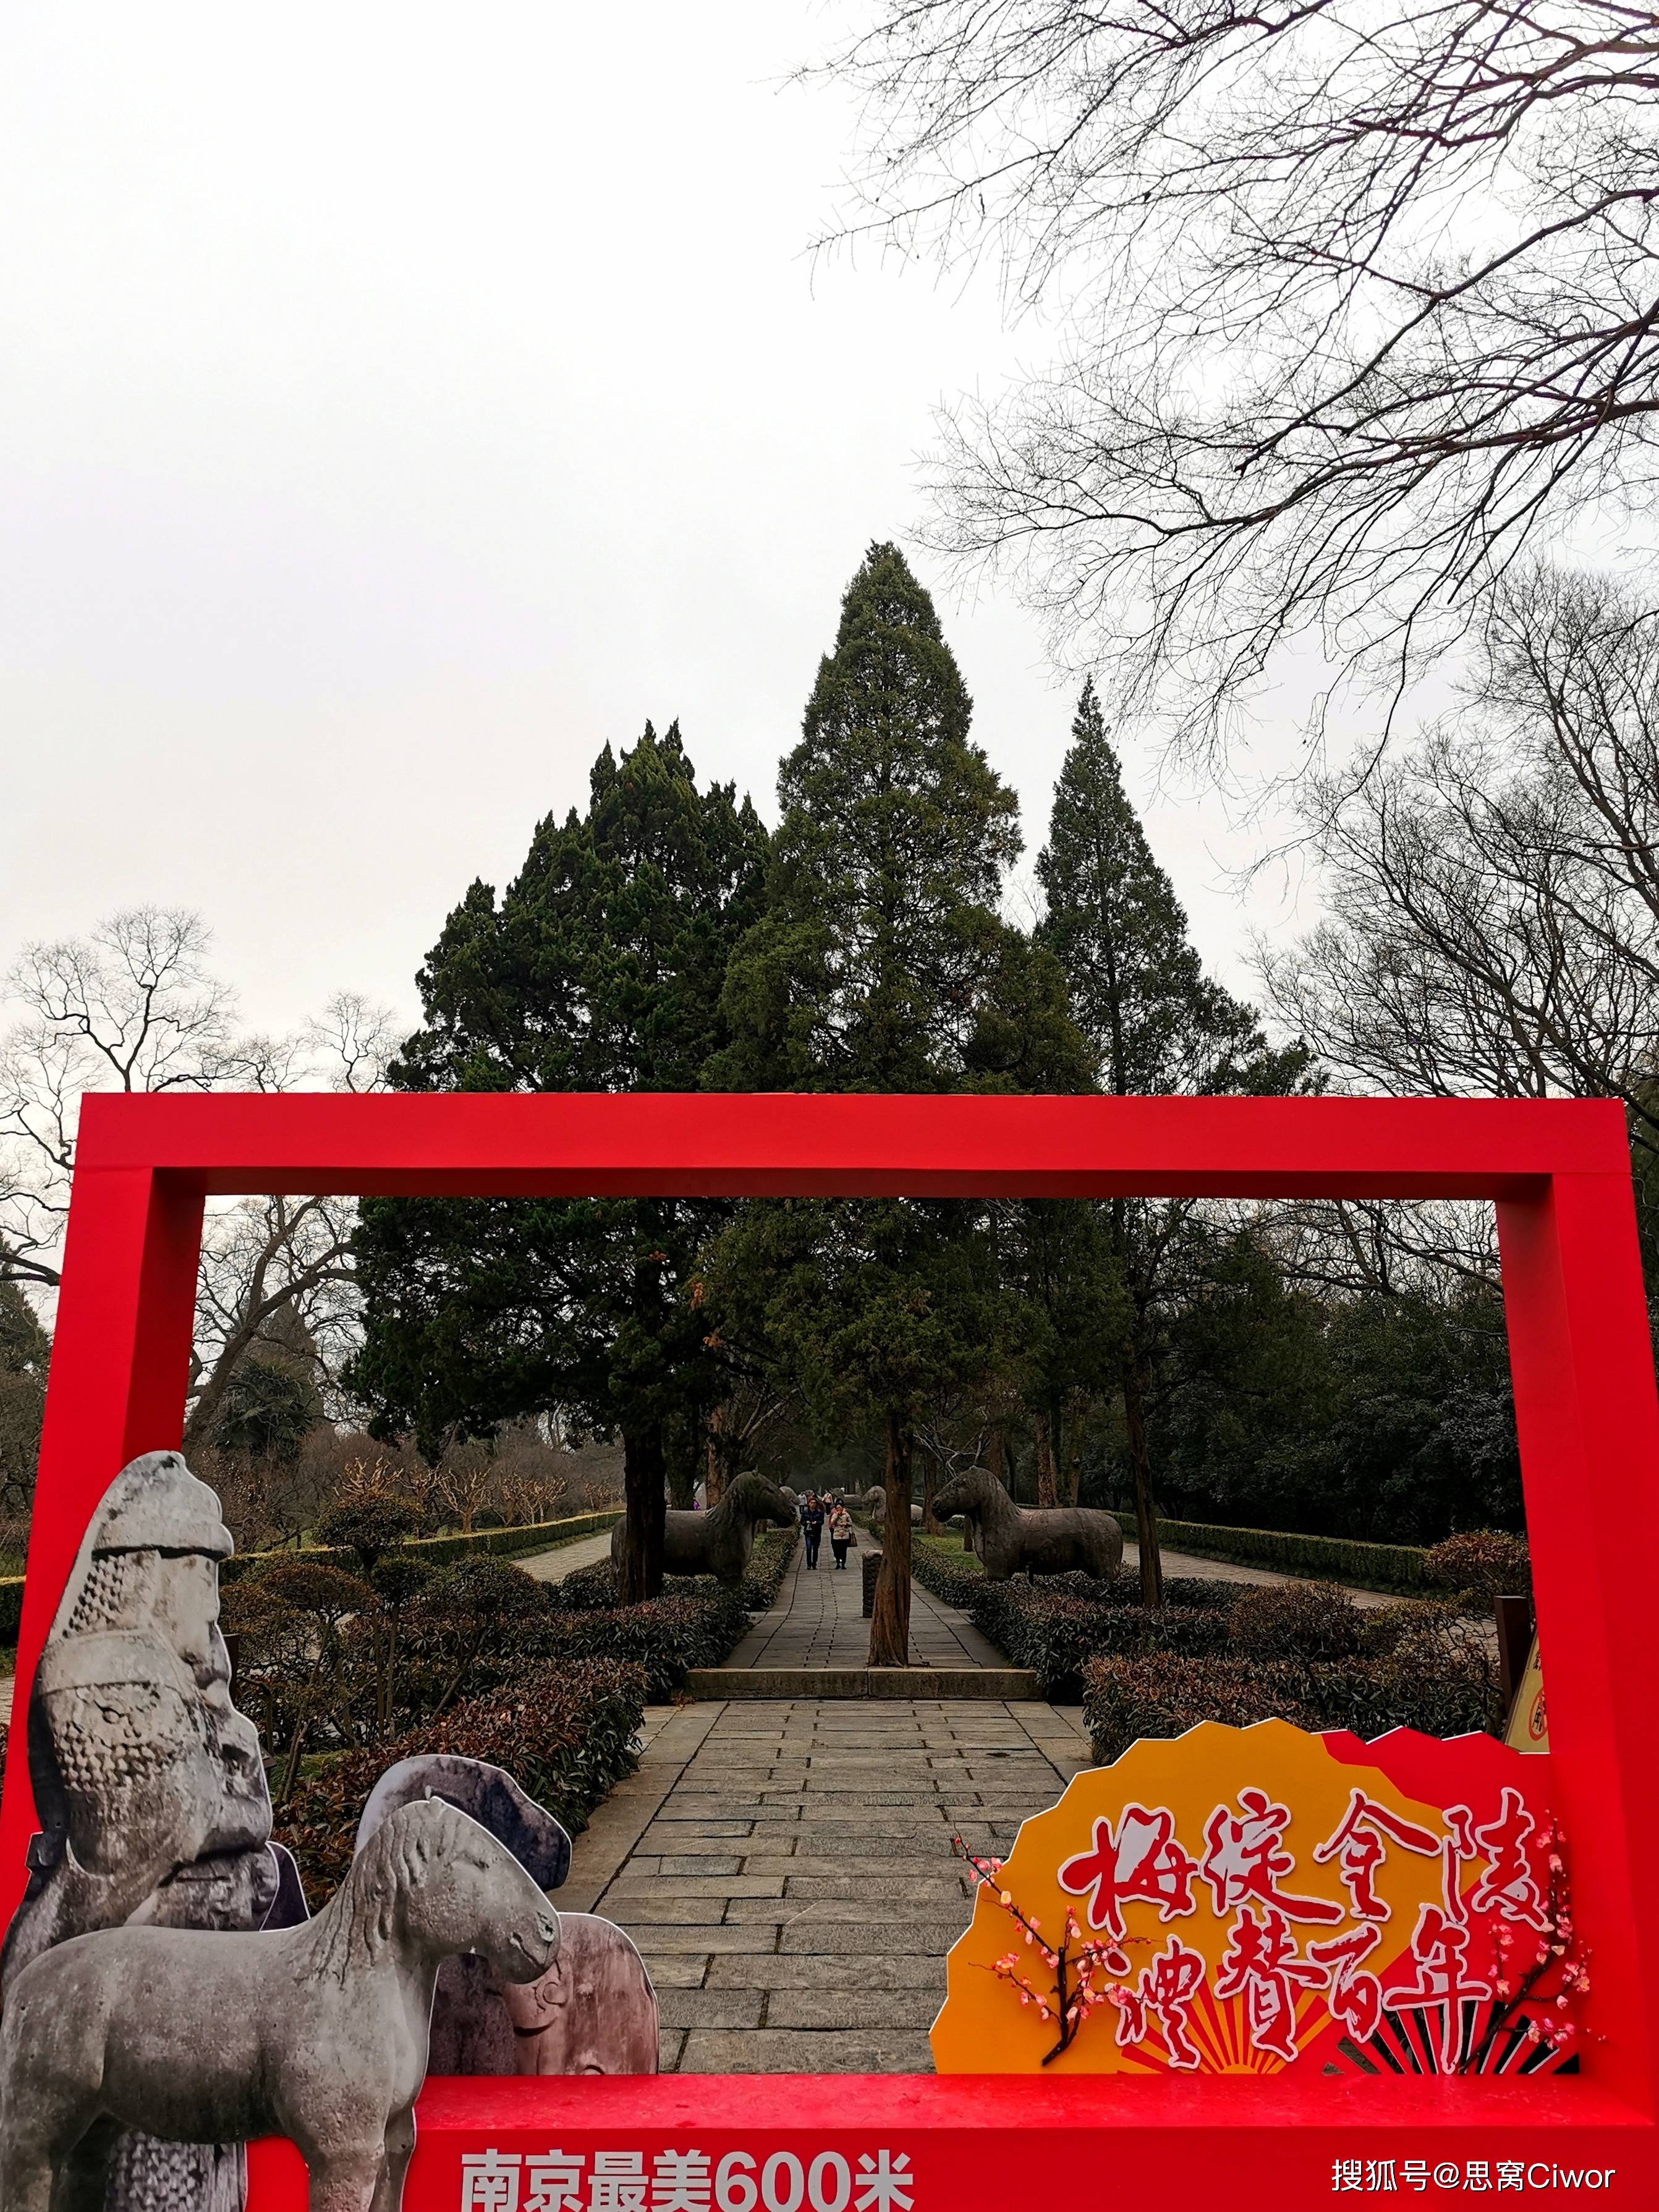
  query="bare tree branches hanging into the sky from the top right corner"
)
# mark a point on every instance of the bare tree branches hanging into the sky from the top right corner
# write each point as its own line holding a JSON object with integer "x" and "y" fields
{"x": 1353, "y": 300}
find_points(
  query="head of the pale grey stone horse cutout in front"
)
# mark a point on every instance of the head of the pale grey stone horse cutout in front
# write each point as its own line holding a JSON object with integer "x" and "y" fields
{"x": 444, "y": 1884}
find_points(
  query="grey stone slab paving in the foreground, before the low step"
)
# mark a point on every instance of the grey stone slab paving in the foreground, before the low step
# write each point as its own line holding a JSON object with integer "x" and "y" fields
{"x": 789, "y": 1875}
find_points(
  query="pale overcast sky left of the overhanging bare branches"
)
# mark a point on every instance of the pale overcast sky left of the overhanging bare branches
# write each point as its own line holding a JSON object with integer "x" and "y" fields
{"x": 401, "y": 401}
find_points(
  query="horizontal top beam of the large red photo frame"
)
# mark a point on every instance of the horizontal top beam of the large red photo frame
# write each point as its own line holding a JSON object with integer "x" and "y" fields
{"x": 733, "y": 1145}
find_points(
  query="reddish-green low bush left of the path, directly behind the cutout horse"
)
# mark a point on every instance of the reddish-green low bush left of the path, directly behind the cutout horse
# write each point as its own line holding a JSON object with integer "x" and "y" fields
{"x": 565, "y": 1733}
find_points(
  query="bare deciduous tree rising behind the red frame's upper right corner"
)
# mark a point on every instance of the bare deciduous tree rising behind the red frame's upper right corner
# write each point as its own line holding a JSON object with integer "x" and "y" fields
{"x": 1494, "y": 897}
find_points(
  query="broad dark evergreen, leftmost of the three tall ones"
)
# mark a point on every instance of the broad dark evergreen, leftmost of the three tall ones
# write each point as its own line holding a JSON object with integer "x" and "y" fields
{"x": 598, "y": 970}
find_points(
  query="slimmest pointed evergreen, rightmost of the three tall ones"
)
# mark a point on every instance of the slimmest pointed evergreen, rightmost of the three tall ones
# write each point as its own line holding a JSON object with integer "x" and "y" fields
{"x": 1158, "y": 1025}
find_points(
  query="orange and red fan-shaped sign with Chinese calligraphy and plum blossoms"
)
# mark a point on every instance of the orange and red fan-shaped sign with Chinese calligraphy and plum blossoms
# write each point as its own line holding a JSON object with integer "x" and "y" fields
{"x": 1253, "y": 1899}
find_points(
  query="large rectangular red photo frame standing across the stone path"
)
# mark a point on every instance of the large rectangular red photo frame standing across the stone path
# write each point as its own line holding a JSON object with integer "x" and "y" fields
{"x": 1589, "y": 1439}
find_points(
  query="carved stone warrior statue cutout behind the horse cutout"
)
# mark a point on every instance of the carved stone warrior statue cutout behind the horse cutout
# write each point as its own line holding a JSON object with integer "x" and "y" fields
{"x": 149, "y": 1786}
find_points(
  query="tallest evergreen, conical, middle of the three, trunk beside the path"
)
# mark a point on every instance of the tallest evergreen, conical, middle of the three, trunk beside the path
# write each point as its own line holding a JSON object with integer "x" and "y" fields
{"x": 884, "y": 966}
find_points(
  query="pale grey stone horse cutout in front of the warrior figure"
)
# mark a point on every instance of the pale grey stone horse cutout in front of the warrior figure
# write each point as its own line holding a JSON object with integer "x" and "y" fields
{"x": 317, "y": 2032}
